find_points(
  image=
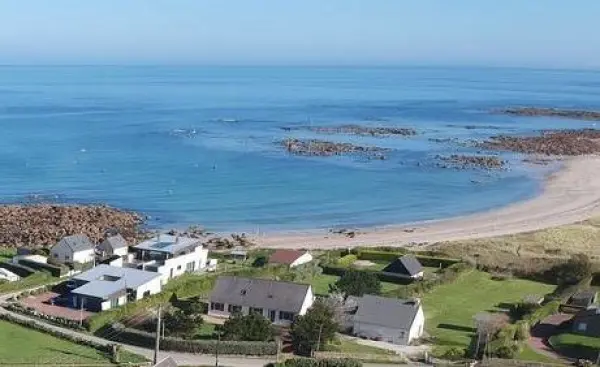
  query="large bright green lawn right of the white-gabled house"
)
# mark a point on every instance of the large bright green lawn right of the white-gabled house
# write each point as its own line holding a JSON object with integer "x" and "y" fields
{"x": 450, "y": 308}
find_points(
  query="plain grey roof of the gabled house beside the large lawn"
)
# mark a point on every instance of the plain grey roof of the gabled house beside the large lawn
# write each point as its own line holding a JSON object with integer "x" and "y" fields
{"x": 388, "y": 312}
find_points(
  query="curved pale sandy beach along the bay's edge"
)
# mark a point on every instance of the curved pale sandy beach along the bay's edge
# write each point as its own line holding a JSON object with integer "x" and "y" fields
{"x": 570, "y": 195}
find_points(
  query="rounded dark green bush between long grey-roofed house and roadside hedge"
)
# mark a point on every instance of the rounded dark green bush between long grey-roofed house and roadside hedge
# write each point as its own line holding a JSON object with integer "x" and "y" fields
{"x": 251, "y": 327}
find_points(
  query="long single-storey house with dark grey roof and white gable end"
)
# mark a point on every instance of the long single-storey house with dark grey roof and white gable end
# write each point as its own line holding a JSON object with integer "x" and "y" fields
{"x": 280, "y": 302}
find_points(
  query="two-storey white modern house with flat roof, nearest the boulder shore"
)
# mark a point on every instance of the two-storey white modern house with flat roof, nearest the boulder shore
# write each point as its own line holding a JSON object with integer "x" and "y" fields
{"x": 171, "y": 256}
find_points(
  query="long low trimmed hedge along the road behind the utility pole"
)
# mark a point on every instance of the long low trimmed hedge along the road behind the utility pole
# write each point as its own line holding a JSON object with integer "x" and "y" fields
{"x": 120, "y": 333}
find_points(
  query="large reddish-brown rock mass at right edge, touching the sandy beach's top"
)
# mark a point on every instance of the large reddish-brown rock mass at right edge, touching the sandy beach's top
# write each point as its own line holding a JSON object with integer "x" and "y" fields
{"x": 556, "y": 142}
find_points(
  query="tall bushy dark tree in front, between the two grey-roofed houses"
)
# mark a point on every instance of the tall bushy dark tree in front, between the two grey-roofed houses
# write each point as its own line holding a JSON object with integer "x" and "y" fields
{"x": 313, "y": 330}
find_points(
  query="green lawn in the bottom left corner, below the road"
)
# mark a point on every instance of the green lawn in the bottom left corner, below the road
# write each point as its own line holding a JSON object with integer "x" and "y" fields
{"x": 22, "y": 345}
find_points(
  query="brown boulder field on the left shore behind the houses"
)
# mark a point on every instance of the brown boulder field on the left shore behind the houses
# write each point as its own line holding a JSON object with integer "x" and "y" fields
{"x": 43, "y": 225}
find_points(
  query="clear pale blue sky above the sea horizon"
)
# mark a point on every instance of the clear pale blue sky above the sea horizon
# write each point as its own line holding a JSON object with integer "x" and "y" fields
{"x": 546, "y": 33}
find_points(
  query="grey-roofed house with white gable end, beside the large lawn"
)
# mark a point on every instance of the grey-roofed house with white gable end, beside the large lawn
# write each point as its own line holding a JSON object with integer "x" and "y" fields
{"x": 390, "y": 320}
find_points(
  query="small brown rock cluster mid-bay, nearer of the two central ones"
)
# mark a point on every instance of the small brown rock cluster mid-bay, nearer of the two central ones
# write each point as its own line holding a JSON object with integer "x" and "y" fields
{"x": 322, "y": 148}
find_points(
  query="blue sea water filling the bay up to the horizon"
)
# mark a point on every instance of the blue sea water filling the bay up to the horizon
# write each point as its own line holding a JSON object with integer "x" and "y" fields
{"x": 198, "y": 145}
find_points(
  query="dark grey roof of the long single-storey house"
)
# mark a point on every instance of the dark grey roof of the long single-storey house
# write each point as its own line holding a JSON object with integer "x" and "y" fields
{"x": 260, "y": 293}
